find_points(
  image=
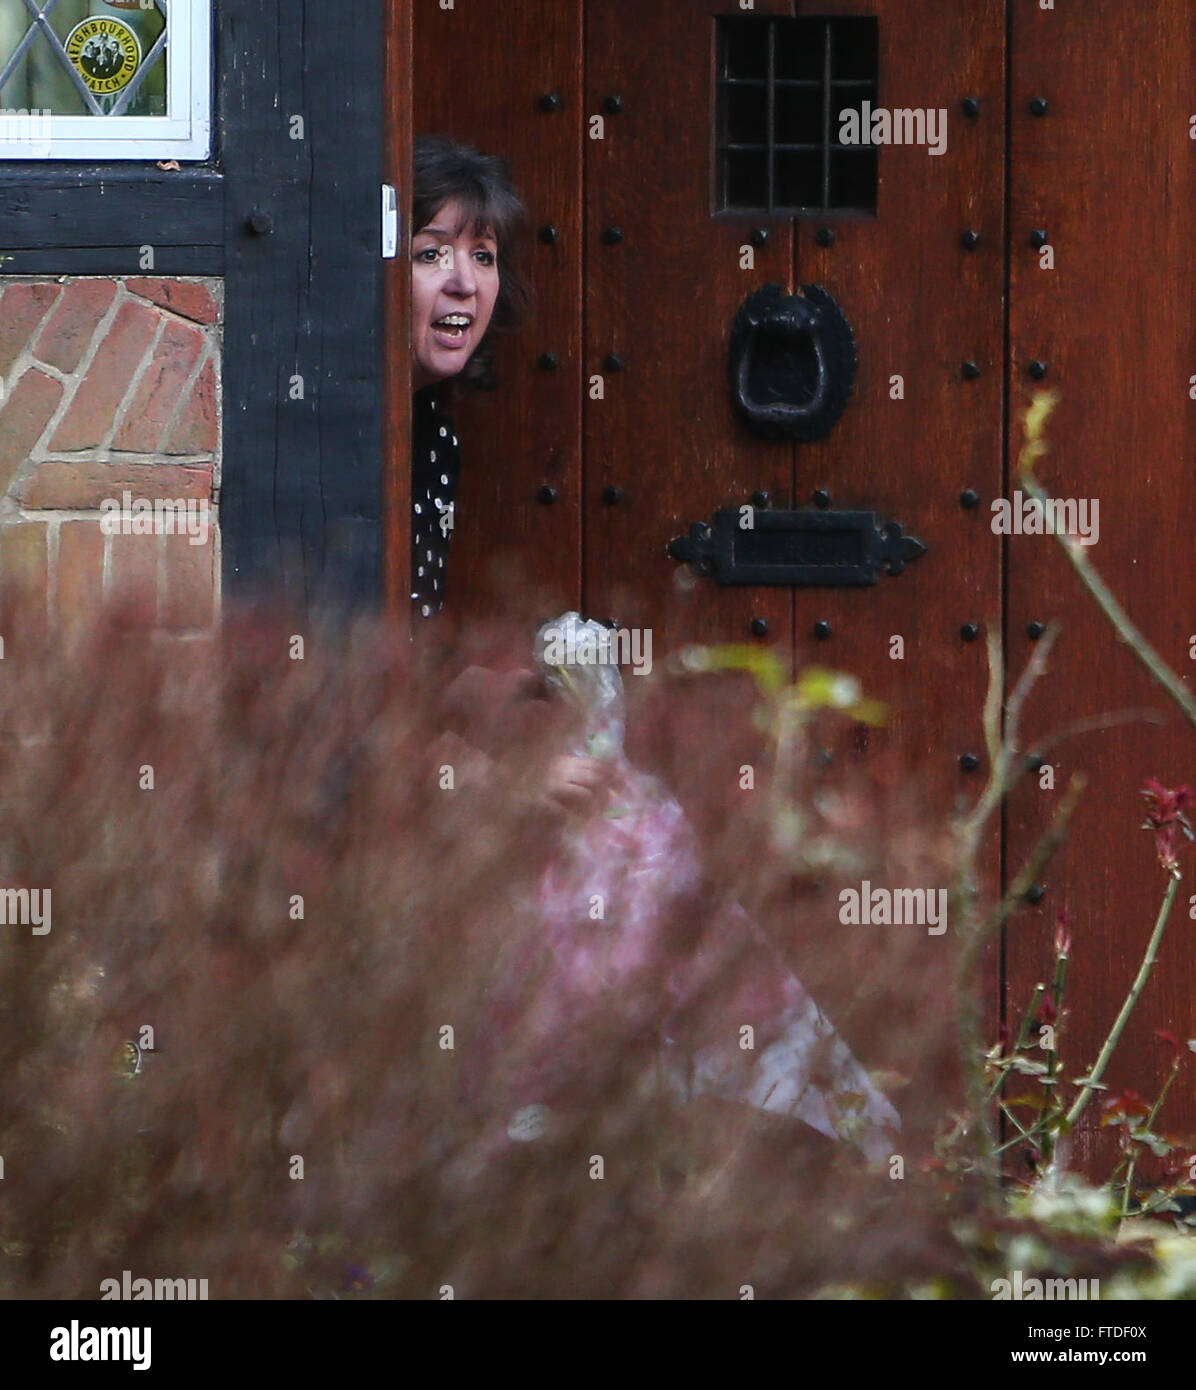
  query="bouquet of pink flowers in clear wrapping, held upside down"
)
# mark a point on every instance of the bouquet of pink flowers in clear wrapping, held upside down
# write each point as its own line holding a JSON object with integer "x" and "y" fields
{"x": 627, "y": 945}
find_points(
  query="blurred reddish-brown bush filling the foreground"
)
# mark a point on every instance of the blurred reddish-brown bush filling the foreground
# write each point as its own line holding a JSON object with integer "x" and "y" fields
{"x": 322, "y": 1039}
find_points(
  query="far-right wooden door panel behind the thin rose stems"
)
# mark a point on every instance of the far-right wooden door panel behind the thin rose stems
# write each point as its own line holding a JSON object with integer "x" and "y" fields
{"x": 1108, "y": 173}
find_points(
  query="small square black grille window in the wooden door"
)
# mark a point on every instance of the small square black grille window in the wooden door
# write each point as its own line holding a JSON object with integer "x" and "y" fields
{"x": 782, "y": 88}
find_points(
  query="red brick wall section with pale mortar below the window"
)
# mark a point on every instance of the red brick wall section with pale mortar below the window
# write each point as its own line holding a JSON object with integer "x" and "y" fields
{"x": 109, "y": 405}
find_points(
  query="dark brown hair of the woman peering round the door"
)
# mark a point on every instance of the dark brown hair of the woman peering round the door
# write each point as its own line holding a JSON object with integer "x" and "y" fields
{"x": 444, "y": 169}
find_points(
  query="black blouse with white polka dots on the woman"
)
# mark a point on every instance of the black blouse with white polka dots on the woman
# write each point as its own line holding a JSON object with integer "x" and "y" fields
{"x": 435, "y": 475}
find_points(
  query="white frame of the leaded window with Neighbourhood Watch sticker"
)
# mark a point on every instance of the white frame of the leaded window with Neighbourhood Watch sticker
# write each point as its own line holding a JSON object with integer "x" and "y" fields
{"x": 183, "y": 134}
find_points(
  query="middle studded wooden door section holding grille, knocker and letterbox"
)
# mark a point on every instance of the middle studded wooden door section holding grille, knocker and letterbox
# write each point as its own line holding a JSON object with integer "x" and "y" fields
{"x": 664, "y": 300}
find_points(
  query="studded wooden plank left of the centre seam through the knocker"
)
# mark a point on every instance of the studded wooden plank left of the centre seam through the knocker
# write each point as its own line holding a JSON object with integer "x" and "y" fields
{"x": 663, "y": 300}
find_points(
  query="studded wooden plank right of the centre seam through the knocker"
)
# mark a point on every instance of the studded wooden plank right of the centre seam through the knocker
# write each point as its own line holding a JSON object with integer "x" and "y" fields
{"x": 921, "y": 306}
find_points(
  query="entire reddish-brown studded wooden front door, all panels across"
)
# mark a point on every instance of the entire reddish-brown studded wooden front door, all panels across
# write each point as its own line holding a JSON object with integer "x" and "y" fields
{"x": 642, "y": 138}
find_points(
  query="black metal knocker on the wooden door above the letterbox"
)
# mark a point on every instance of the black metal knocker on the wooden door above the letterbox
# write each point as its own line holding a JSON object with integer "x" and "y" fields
{"x": 793, "y": 362}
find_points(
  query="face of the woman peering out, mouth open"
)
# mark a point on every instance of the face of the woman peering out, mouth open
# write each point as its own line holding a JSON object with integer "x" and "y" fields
{"x": 454, "y": 290}
